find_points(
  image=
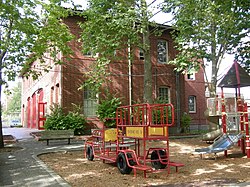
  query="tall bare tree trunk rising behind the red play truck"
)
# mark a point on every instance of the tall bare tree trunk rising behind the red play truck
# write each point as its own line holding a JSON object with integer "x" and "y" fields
{"x": 147, "y": 95}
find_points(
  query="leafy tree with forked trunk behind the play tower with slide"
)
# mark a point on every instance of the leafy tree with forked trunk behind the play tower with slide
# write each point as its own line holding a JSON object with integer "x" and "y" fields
{"x": 208, "y": 29}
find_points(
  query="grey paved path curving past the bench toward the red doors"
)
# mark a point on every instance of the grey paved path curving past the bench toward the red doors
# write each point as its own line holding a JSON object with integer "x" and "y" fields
{"x": 23, "y": 168}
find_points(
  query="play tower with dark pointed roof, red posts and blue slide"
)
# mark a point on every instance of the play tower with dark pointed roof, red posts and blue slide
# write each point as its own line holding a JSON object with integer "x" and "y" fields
{"x": 233, "y": 112}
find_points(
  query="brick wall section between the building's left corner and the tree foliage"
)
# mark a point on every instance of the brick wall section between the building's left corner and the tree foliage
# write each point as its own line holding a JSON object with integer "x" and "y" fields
{"x": 72, "y": 71}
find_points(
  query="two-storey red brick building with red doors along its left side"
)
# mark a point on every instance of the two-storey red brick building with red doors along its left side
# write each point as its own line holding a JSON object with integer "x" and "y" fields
{"x": 60, "y": 85}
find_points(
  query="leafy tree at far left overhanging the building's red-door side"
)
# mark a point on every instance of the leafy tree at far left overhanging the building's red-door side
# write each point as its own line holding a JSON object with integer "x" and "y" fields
{"x": 29, "y": 31}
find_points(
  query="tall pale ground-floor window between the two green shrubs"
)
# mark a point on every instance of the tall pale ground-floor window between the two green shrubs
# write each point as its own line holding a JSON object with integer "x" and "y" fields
{"x": 89, "y": 102}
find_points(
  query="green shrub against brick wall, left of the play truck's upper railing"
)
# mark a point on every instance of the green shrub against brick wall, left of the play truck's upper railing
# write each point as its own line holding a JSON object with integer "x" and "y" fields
{"x": 107, "y": 109}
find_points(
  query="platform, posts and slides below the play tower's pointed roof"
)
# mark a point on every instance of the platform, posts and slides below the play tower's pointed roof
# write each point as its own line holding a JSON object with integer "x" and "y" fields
{"x": 233, "y": 118}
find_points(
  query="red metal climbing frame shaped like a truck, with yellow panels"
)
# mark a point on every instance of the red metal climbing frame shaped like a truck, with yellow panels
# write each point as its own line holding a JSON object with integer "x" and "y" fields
{"x": 128, "y": 145}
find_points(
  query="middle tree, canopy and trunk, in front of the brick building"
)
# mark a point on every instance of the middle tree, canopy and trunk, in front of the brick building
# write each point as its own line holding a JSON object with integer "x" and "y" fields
{"x": 123, "y": 24}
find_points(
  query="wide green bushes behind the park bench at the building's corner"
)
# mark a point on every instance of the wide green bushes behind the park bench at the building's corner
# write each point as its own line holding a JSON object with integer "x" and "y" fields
{"x": 57, "y": 120}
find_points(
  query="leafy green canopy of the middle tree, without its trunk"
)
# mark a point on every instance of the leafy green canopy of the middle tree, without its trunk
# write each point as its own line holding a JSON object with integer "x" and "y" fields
{"x": 107, "y": 29}
